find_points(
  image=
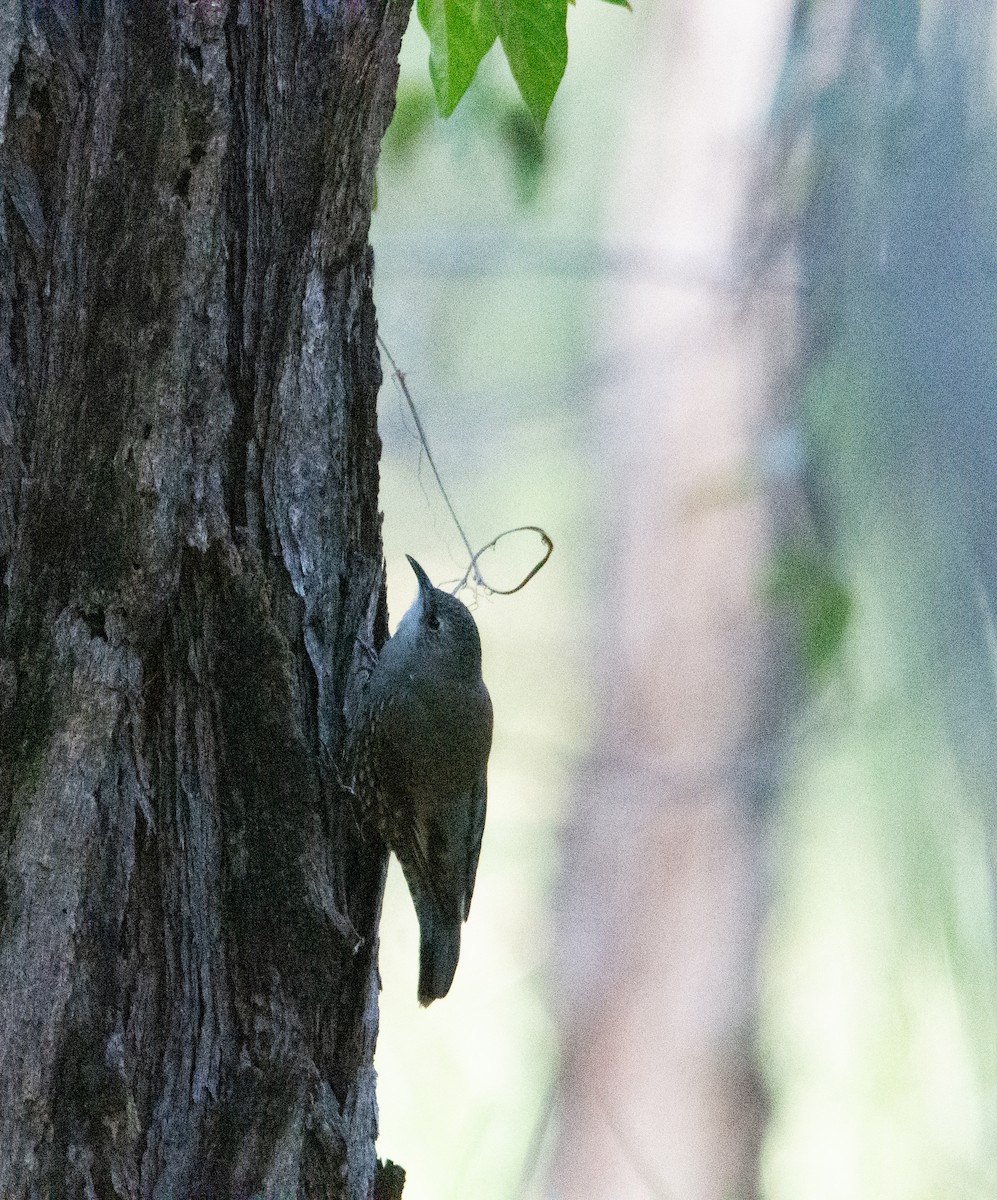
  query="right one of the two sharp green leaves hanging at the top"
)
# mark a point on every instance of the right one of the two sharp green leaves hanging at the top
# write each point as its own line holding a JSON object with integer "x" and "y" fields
{"x": 534, "y": 37}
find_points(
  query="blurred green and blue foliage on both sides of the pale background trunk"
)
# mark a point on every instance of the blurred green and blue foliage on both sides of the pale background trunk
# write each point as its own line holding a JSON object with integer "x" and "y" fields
{"x": 880, "y": 973}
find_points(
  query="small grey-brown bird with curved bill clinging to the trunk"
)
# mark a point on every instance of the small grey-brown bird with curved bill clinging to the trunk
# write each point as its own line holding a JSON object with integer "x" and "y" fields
{"x": 424, "y": 739}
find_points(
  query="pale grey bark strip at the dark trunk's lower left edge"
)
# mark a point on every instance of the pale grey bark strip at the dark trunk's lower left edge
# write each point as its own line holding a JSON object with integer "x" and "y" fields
{"x": 50, "y": 869}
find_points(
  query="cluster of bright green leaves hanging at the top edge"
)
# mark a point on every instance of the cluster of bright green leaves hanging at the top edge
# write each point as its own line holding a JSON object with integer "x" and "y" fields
{"x": 533, "y": 35}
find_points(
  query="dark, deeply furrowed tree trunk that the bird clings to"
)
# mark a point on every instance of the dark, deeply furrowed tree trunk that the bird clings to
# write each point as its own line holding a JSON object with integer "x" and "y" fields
{"x": 190, "y": 554}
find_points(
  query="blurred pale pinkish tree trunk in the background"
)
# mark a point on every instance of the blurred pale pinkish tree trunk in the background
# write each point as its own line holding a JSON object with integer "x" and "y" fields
{"x": 665, "y": 881}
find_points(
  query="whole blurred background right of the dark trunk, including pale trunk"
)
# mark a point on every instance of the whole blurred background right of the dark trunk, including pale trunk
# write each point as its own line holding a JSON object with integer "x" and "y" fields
{"x": 729, "y": 332}
